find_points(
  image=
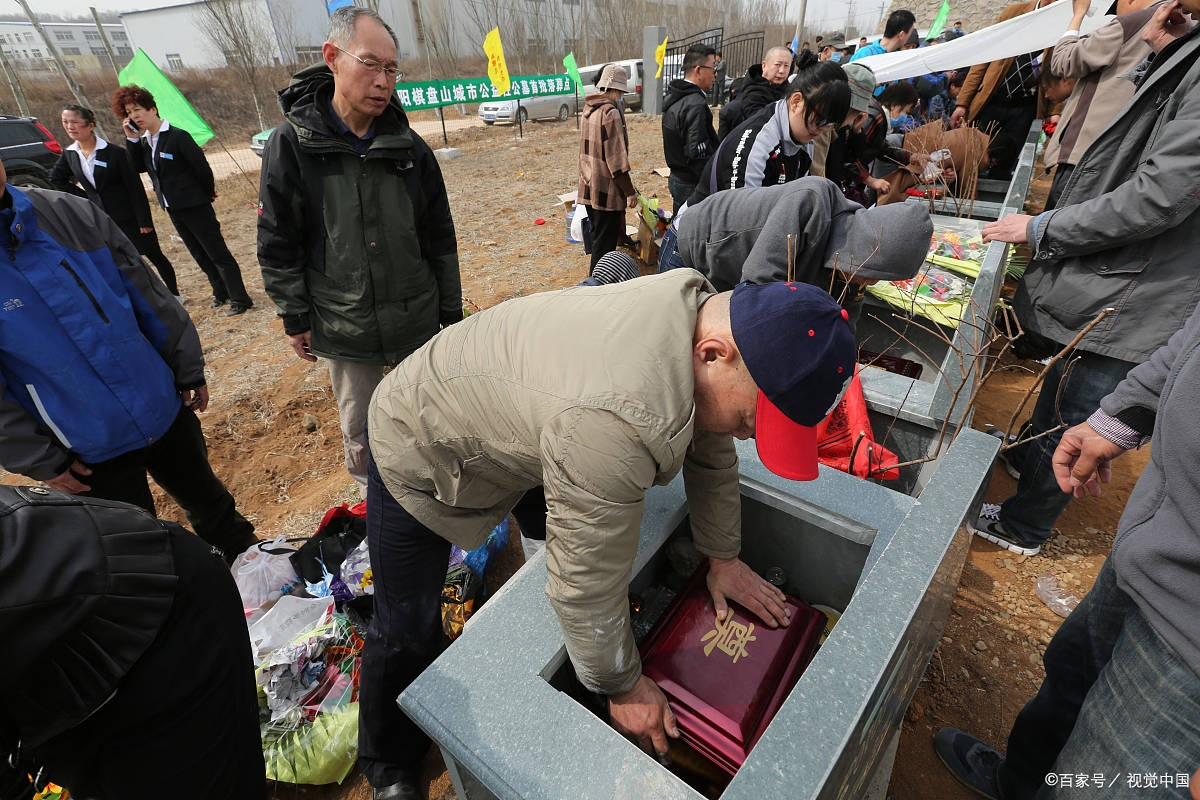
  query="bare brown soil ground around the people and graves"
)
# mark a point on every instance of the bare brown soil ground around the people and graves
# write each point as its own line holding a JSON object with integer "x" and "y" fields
{"x": 286, "y": 477}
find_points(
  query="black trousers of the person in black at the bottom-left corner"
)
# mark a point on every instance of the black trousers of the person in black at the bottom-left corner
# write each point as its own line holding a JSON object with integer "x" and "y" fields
{"x": 185, "y": 718}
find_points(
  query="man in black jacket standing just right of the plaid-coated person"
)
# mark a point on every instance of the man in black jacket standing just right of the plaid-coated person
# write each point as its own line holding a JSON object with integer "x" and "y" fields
{"x": 688, "y": 135}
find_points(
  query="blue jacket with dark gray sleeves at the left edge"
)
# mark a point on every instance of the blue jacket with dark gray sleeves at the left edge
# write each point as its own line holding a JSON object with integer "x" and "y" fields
{"x": 93, "y": 348}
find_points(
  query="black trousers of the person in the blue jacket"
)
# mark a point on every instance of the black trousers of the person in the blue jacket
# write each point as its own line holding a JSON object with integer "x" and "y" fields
{"x": 179, "y": 464}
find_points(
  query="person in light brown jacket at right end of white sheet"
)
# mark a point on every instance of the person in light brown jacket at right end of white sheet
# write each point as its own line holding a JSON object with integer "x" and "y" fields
{"x": 1107, "y": 65}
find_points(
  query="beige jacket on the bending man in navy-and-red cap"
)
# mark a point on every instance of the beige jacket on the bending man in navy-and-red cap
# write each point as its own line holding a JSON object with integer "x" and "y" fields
{"x": 589, "y": 393}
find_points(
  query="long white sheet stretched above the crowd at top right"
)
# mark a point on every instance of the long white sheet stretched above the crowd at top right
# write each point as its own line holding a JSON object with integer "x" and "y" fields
{"x": 1031, "y": 32}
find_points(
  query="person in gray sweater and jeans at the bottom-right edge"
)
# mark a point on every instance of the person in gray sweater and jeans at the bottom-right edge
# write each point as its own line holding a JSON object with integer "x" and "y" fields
{"x": 1123, "y": 687}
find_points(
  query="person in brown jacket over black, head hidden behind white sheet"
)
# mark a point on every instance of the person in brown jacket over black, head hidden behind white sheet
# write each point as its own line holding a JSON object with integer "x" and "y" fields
{"x": 1004, "y": 98}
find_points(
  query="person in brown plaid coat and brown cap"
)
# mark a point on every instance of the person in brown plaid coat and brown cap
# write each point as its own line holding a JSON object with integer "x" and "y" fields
{"x": 605, "y": 187}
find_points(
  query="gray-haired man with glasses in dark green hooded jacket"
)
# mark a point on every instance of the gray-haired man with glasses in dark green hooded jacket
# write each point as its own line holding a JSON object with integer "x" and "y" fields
{"x": 356, "y": 238}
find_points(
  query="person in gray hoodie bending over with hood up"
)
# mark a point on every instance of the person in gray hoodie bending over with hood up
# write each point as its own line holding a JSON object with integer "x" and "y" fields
{"x": 752, "y": 233}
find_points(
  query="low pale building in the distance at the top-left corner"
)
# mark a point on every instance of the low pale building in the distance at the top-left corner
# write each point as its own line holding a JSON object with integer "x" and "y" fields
{"x": 79, "y": 44}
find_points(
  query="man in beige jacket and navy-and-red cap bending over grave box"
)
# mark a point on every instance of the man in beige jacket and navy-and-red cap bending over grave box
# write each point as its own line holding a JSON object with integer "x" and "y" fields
{"x": 593, "y": 395}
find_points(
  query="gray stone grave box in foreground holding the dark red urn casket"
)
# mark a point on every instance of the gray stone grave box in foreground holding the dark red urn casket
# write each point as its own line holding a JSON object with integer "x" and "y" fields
{"x": 503, "y": 705}
